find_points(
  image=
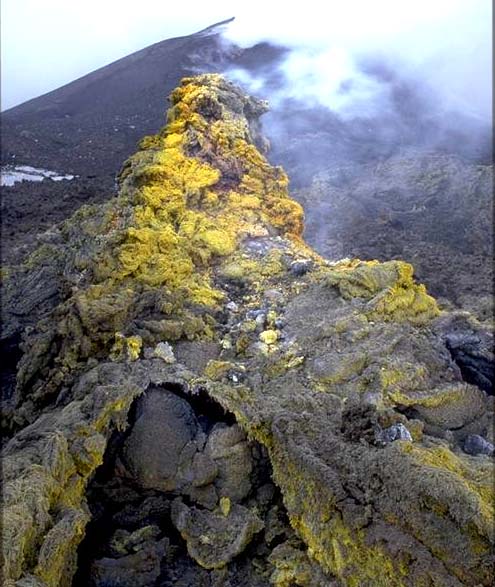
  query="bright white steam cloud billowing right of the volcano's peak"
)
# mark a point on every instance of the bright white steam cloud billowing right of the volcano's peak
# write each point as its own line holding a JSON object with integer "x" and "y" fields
{"x": 443, "y": 46}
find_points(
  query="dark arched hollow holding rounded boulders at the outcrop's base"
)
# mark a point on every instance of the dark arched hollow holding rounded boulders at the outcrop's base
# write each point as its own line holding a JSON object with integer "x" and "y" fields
{"x": 178, "y": 480}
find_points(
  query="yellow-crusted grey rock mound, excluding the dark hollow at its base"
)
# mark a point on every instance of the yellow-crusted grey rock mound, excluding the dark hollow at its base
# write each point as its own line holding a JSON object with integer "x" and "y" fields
{"x": 202, "y": 248}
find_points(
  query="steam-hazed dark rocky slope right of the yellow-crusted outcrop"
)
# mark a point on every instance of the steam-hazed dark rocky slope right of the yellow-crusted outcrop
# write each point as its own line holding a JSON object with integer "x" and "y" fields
{"x": 435, "y": 210}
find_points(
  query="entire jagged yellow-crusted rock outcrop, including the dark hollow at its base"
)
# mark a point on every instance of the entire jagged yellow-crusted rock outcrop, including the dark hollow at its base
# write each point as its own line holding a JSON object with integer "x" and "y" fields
{"x": 190, "y": 313}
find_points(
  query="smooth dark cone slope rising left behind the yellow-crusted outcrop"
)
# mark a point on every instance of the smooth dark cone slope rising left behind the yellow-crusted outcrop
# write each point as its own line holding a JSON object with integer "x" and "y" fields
{"x": 91, "y": 125}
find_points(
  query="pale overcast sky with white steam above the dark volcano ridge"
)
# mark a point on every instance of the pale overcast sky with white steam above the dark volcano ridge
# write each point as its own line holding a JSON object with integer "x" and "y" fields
{"x": 47, "y": 43}
